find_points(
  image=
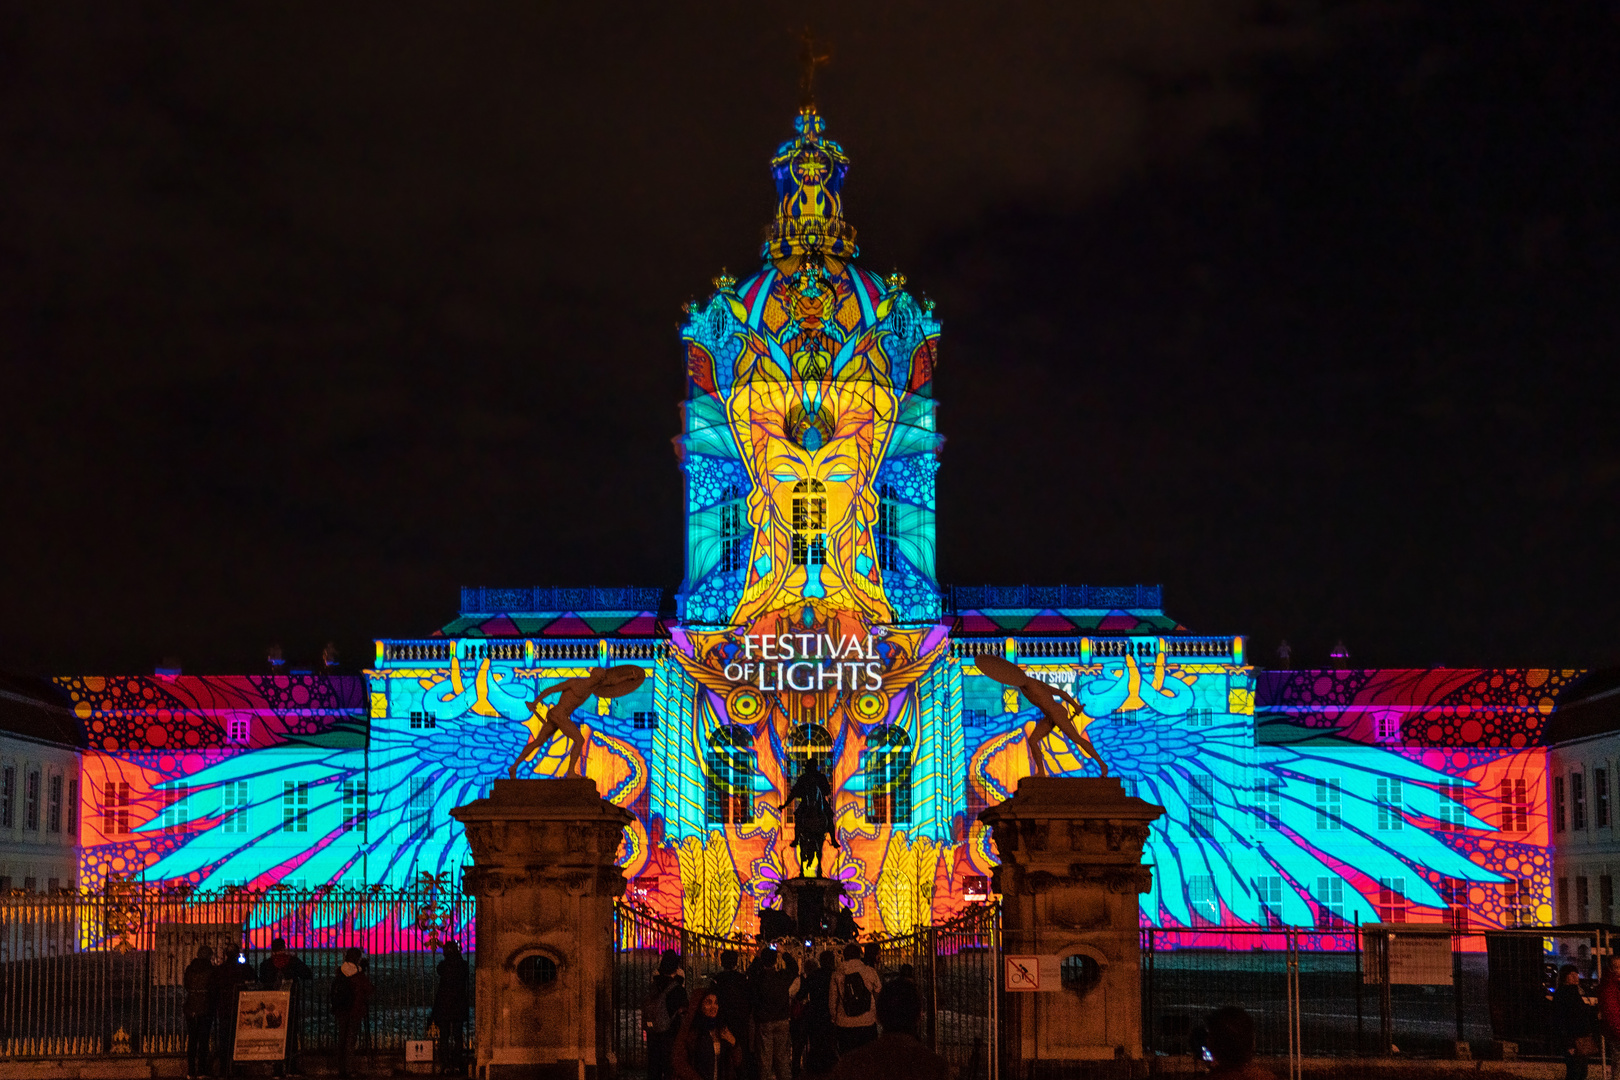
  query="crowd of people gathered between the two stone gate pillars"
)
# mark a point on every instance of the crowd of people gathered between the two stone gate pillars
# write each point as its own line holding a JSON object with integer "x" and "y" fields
{"x": 775, "y": 1021}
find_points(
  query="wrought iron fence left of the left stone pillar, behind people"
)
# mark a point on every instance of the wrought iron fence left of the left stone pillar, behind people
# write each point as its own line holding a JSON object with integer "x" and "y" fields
{"x": 100, "y": 974}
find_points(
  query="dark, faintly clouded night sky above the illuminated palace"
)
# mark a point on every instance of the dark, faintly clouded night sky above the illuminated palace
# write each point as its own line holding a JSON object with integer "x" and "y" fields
{"x": 312, "y": 317}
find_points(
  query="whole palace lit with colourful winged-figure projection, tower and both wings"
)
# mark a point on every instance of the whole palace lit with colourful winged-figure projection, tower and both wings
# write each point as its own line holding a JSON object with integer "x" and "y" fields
{"x": 811, "y": 626}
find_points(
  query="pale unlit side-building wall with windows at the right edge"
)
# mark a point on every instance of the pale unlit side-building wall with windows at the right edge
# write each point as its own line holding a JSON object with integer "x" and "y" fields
{"x": 1587, "y": 848}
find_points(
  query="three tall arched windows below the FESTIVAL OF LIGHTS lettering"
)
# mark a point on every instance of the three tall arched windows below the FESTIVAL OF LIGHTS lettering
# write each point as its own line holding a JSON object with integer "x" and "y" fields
{"x": 730, "y": 772}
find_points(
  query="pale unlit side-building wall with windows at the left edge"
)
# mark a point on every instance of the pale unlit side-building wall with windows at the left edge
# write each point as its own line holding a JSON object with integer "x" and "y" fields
{"x": 40, "y": 815}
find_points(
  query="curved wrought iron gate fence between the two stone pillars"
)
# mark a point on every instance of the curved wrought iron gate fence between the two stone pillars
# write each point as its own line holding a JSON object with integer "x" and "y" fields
{"x": 955, "y": 967}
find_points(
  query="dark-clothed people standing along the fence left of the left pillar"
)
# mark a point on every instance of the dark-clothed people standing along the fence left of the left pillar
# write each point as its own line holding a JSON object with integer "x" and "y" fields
{"x": 213, "y": 990}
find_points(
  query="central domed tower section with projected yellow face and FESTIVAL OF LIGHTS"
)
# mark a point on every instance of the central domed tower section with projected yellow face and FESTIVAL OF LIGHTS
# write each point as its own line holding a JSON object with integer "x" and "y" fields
{"x": 809, "y": 616}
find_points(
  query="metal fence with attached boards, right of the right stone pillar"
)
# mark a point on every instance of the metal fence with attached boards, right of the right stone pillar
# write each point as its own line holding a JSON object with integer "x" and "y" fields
{"x": 1386, "y": 990}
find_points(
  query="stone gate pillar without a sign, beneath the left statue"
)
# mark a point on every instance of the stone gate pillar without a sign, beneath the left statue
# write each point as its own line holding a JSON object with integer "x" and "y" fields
{"x": 545, "y": 880}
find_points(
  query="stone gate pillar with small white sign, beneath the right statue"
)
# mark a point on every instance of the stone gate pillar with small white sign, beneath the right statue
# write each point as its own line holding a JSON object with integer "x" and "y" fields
{"x": 1070, "y": 877}
